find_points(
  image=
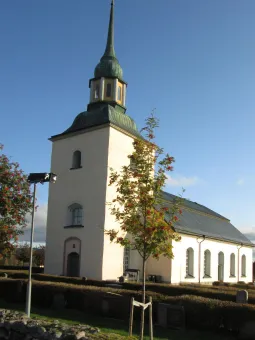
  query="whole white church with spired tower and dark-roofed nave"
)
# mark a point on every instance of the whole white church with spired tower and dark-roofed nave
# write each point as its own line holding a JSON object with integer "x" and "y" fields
{"x": 211, "y": 248}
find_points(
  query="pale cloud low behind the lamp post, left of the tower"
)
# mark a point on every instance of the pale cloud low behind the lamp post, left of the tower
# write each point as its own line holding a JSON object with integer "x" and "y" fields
{"x": 40, "y": 225}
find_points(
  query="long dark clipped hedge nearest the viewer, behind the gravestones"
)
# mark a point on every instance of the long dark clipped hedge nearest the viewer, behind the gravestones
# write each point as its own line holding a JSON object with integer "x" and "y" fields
{"x": 201, "y": 313}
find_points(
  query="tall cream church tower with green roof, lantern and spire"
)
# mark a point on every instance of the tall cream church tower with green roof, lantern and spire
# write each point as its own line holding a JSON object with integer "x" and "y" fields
{"x": 98, "y": 139}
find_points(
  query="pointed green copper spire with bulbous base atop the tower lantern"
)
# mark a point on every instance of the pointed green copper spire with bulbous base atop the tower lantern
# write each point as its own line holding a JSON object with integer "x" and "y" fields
{"x": 109, "y": 65}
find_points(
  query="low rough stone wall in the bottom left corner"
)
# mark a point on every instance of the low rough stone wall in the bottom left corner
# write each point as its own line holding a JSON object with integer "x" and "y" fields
{"x": 17, "y": 326}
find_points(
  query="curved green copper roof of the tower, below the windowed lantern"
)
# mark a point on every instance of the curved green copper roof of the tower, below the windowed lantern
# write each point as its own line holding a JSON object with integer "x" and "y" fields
{"x": 102, "y": 115}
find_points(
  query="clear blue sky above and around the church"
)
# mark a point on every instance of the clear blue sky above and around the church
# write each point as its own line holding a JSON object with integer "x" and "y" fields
{"x": 192, "y": 60}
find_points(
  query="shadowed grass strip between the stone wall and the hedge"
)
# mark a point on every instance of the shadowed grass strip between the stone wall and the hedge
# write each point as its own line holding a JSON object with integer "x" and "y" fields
{"x": 111, "y": 329}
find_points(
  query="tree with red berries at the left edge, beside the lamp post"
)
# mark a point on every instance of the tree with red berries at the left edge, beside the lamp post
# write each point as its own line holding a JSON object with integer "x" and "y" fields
{"x": 15, "y": 203}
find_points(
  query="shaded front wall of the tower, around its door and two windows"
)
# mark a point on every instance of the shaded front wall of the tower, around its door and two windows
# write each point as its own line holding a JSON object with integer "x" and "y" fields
{"x": 85, "y": 186}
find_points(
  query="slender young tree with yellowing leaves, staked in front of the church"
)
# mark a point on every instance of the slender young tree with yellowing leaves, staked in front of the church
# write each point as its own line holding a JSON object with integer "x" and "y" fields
{"x": 146, "y": 221}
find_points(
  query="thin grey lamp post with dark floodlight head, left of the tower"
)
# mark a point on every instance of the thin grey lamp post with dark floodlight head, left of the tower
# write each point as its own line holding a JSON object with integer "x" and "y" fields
{"x": 35, "y": 178}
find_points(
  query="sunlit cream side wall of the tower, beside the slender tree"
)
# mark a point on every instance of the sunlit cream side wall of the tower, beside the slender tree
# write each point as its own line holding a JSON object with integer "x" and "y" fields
{"x": 120, "y": 146}
